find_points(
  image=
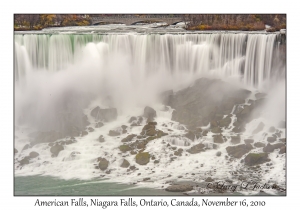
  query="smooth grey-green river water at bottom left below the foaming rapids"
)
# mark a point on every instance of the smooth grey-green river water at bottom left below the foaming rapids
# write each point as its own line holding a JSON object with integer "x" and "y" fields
{"x": 45, "y": 185}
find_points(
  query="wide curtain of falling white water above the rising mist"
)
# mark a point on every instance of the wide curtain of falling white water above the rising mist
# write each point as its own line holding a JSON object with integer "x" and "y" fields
{"x": 249, "y": 57}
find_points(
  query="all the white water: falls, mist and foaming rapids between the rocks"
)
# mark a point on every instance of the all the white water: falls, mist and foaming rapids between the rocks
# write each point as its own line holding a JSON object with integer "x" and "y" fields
{"x": 61, "y": 74}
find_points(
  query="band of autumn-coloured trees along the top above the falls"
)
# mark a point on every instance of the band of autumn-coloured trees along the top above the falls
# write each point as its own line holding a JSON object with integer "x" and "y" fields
{"x": 247, "y": 22}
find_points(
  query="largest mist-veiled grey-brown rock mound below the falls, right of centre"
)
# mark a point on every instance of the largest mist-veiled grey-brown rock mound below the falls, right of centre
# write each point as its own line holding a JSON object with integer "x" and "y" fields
{"x": 206, "y": 101}
